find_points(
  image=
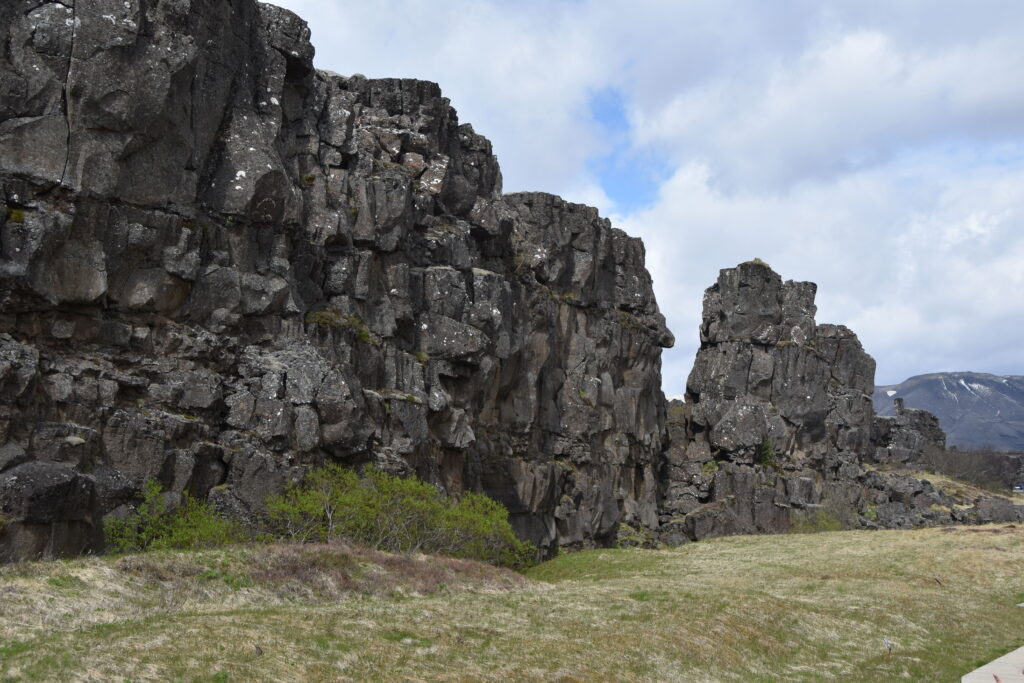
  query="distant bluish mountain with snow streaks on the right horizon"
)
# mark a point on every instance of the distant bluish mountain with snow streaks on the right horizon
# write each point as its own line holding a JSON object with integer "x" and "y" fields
{"x": 974, "y": 409}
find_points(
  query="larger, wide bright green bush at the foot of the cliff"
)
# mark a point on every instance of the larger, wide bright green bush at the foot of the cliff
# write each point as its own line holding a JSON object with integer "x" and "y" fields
{"x": 396, "y": 516}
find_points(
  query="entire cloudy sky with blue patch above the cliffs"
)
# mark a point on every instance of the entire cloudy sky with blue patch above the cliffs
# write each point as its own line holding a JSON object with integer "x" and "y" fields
{"x": 873, "y": 147}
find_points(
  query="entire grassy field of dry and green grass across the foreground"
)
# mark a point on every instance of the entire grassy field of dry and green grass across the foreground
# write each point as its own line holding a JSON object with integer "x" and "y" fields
{"x": 746, "y": 609}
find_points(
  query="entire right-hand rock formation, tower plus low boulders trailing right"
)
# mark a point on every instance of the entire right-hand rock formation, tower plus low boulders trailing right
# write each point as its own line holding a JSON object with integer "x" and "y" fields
{"x": 777, "y": 431}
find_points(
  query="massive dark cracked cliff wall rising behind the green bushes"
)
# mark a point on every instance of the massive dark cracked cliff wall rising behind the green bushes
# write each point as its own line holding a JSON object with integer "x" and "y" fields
{"x": 220, "y": 267}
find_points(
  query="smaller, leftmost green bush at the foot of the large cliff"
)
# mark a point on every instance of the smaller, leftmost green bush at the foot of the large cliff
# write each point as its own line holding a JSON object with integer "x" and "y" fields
{"x": 153, "y": 527}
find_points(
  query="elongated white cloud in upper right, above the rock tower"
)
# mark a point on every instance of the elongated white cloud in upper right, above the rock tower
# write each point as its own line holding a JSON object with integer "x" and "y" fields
{"x": 849, "y": 102}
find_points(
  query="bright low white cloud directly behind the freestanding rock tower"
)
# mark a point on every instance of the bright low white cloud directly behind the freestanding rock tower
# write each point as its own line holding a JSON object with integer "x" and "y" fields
{"x": 926, "y": 269}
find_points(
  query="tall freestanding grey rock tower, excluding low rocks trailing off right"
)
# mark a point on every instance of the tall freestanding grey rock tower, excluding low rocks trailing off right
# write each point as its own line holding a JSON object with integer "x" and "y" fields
{"x": 780, "y": 404}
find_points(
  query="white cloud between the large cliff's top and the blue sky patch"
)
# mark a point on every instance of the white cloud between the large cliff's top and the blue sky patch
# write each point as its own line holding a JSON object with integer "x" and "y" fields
{"x": 521, "y": 73}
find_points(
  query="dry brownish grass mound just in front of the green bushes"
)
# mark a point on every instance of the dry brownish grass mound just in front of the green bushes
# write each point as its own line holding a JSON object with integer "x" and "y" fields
{"x": 41, "y": 597}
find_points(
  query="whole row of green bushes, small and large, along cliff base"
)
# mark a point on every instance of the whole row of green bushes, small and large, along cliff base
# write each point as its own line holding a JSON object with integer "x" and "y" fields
{"x": 334, "y": 503}
